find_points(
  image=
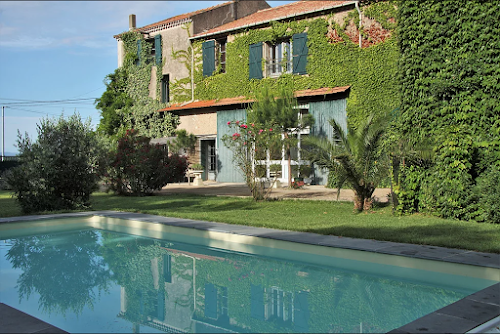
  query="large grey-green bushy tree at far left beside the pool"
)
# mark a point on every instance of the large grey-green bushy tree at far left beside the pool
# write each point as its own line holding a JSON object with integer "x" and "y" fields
{"x": 60, "y": 170}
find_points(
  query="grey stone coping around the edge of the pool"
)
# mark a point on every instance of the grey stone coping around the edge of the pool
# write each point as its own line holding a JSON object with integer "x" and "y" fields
{"x": 460, "y": 317}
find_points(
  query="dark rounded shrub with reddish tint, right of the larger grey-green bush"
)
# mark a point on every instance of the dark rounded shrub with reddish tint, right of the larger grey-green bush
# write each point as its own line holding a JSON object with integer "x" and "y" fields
{"x": 139, "y": 168}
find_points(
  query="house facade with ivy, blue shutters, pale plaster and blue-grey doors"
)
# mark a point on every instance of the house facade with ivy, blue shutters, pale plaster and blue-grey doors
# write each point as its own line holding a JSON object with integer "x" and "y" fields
{"x": 339, "y": 57}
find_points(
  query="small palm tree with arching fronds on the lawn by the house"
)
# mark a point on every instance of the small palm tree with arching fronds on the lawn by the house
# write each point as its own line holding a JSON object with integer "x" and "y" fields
{"x": 356, "y": 157}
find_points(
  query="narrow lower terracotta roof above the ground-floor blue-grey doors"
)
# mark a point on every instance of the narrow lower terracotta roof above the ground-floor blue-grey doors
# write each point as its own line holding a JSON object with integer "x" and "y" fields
{"x": 243, "y": 99}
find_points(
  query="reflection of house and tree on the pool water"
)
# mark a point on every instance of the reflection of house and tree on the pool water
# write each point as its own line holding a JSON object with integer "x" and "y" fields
{"x": 177, "y": 287}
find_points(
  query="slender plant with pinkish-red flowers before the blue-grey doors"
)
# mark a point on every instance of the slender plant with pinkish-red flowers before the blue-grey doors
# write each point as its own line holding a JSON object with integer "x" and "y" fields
{"x": 248, "y": 142}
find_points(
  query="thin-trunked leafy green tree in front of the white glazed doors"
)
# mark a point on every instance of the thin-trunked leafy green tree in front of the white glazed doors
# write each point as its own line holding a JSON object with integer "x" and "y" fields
{"x": 280, "y": 112}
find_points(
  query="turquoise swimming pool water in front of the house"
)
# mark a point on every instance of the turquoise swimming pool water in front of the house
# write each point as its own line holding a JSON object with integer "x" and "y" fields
{"x": 103, "y": 274}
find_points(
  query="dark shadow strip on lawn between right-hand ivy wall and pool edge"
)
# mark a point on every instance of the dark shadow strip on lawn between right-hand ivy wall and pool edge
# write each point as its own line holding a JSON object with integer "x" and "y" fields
{"x": 446, "y": 234}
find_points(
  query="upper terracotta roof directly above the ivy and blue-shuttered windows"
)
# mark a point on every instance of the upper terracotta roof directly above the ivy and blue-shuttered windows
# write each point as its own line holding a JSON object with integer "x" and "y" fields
{"x": 275, "y": 13}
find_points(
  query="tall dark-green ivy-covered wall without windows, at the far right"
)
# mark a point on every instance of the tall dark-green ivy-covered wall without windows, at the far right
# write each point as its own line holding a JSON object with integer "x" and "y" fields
{"x": 450, "y": 75}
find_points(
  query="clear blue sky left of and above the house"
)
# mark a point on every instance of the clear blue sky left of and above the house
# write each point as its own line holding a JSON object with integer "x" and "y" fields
{"x": 60, "y": 50}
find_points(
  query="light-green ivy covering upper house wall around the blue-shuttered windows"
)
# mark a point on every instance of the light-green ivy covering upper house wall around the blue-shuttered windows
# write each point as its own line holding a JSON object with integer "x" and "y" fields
{"x": 335, "y": 59}
